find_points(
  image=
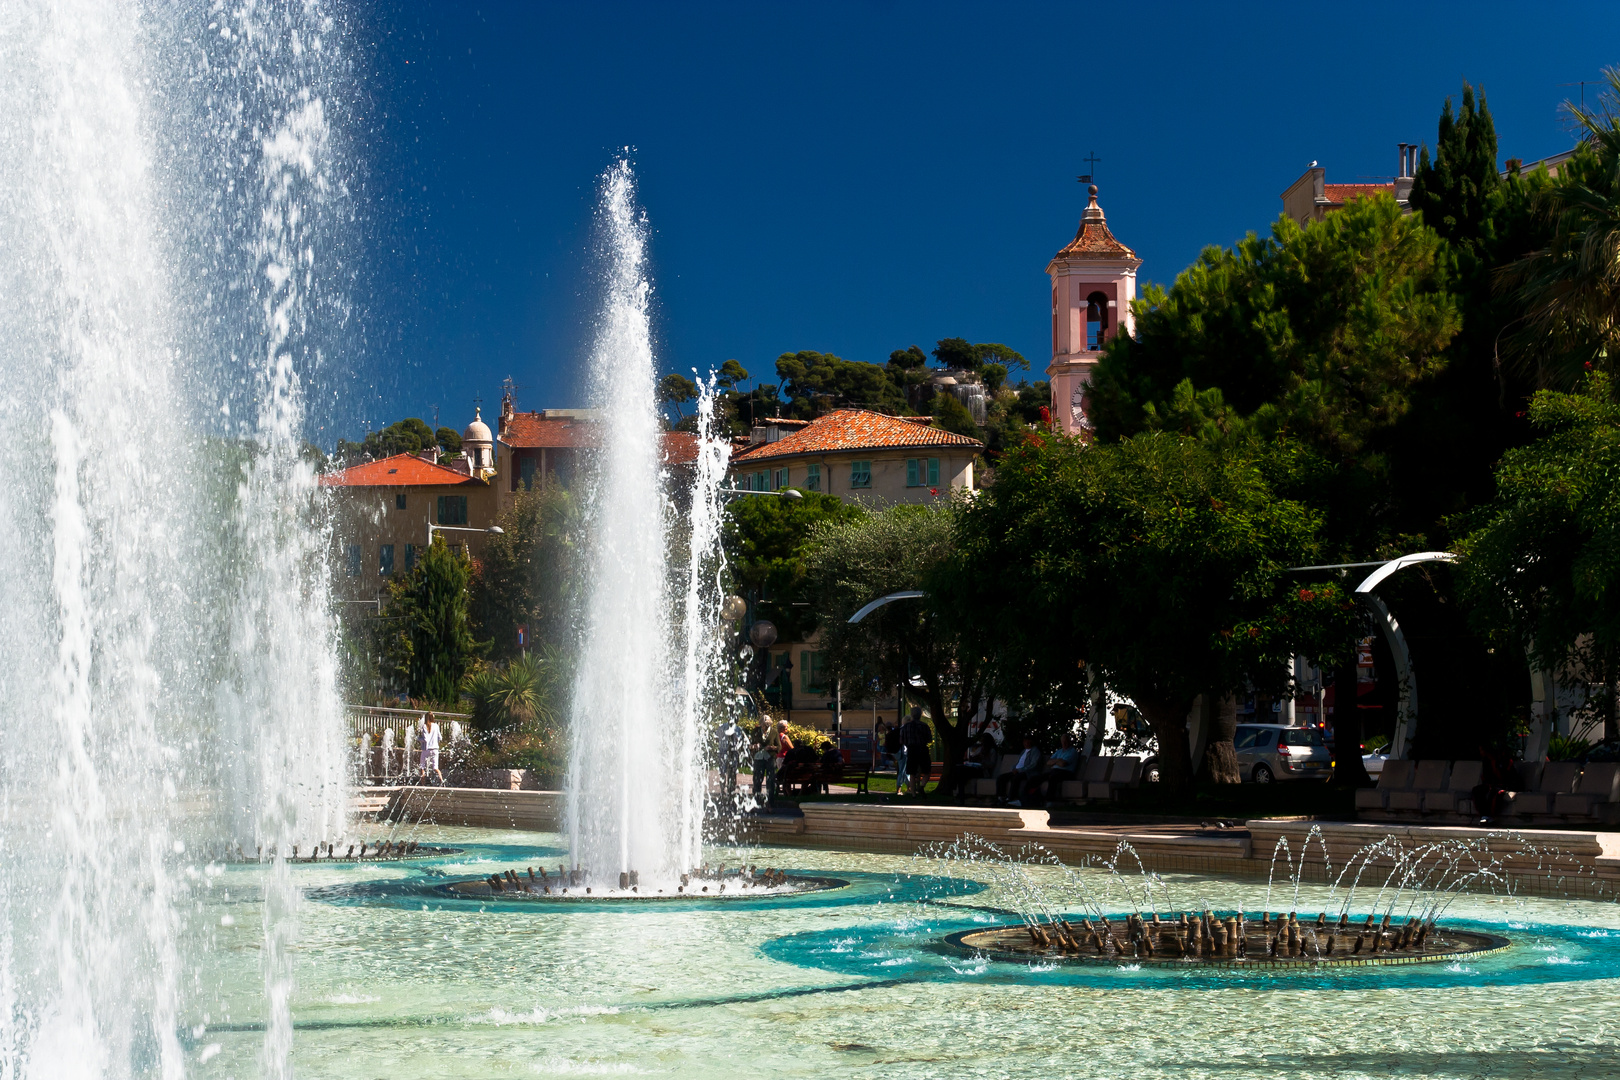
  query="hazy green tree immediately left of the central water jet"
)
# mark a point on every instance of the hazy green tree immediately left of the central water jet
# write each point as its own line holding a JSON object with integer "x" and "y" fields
{"x": 529, "y": 572}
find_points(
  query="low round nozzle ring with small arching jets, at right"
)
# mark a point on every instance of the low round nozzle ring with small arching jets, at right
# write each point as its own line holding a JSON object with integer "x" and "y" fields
{"x": 1015, "y": 943}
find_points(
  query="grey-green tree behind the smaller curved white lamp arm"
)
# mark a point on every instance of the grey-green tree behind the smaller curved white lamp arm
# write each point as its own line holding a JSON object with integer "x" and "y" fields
{"x": 858, "y": 561}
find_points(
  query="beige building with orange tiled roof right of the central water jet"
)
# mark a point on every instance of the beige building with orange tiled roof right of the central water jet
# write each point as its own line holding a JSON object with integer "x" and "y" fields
{"x": 853, "y": 454}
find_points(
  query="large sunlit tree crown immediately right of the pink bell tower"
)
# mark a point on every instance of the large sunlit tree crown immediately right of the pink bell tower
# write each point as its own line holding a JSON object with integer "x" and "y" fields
{"x": 1321, "y": 333}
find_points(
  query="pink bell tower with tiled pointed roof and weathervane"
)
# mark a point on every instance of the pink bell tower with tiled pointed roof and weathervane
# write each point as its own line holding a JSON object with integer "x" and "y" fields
{"x": 1093, "y": 287}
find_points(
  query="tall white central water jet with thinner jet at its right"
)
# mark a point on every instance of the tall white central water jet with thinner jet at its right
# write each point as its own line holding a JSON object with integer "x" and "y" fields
{"x": 637, "y": 762}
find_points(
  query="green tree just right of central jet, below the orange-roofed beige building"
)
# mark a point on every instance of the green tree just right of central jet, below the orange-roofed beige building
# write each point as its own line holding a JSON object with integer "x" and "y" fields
{"x": 767, "y": 542}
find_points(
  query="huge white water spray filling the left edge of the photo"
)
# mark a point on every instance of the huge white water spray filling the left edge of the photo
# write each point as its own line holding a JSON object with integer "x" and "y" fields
{"x": 168, "y": 666}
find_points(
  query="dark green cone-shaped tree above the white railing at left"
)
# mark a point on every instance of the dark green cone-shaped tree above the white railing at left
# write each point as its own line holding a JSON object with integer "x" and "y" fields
{"x": 433, "y": 645}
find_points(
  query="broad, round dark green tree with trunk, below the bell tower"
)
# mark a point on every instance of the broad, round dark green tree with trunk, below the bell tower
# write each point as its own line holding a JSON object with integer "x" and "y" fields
{"x": 1157, "y": 563}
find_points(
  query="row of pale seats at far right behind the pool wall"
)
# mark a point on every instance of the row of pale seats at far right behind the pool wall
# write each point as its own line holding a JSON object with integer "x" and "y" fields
{"x": 1556, "y": 791}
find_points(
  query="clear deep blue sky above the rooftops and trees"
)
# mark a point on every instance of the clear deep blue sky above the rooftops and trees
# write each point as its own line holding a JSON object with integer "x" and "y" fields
{"x": 861, "y": 177}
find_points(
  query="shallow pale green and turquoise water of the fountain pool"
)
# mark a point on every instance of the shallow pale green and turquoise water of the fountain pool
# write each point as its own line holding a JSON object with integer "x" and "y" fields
{"x": 396, "y": 979}
